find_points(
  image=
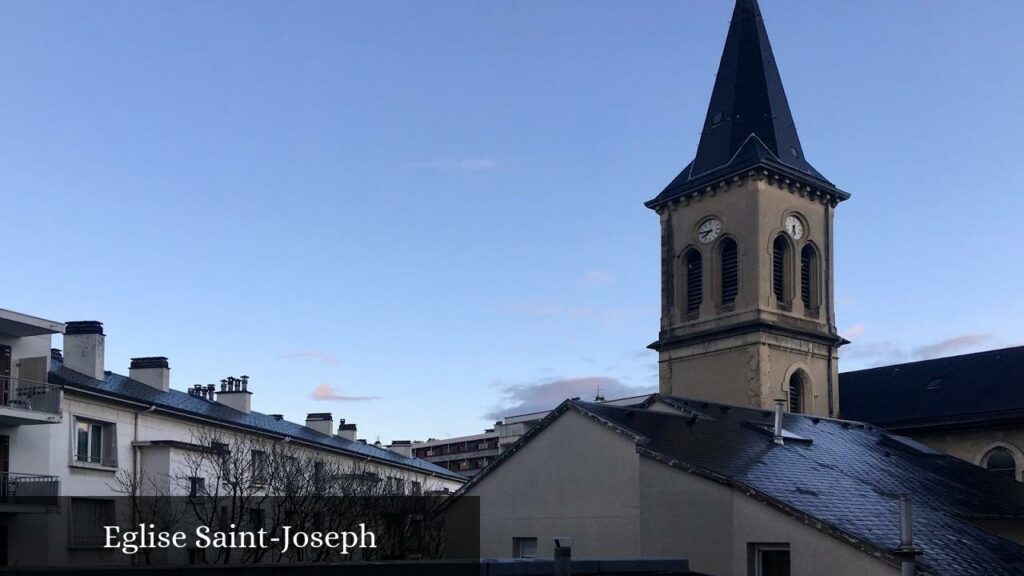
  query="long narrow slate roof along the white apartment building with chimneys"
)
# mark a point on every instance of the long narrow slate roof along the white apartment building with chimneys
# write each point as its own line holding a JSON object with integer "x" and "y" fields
{"x": 118, "y": 387}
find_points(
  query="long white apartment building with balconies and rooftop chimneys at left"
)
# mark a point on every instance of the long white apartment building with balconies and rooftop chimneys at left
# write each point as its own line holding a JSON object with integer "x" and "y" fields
{"x": 71, "y": 428}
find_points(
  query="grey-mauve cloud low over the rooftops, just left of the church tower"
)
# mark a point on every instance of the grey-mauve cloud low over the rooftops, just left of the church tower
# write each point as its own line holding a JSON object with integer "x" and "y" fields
{"x": 525, "y": 399}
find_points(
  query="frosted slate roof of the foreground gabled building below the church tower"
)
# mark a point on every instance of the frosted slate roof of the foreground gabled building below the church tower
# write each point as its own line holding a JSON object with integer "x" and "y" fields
{"x": 845, "y": 479}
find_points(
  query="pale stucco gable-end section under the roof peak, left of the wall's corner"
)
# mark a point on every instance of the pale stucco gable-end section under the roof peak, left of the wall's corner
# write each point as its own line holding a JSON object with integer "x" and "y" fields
{"x": 576, "y": 479}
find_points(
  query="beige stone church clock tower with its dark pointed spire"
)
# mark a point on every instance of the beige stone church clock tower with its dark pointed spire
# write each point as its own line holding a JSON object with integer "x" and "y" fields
{"x": 748, "y": 313}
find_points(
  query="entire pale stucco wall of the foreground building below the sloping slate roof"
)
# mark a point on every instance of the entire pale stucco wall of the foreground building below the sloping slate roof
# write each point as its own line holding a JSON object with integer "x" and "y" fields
{"x": 581, "y": 479}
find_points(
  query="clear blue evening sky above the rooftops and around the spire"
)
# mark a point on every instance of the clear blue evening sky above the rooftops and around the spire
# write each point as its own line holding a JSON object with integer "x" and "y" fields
{"x": 432, "y": 213}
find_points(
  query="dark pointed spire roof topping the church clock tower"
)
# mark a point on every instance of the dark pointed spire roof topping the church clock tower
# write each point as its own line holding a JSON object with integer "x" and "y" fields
{"x": 749, "y": 121}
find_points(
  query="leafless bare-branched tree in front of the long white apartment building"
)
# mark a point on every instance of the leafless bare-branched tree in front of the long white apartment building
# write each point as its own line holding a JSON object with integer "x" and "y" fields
{"x": 247, "y": 482}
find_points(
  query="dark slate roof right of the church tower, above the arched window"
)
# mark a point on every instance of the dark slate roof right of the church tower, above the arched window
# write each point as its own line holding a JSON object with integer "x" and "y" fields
{"x": 979, "y": 389}
